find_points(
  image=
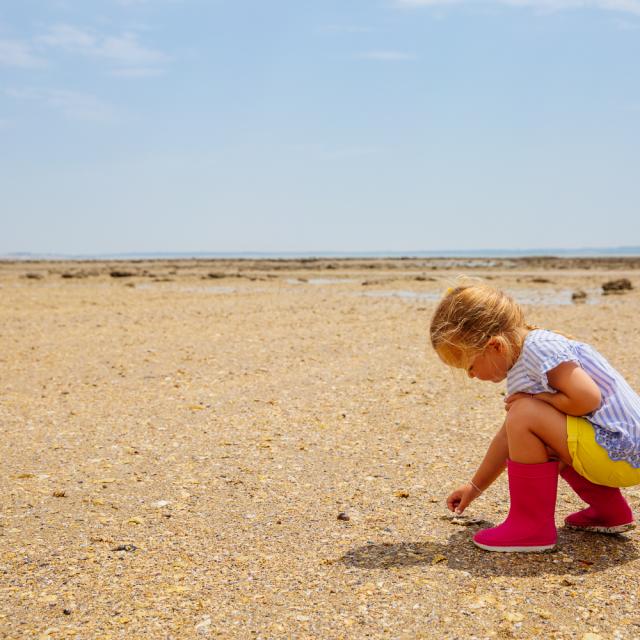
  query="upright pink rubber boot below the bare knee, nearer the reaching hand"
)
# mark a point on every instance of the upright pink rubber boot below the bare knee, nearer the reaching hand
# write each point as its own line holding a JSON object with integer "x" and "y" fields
{"x": 530, "y": 525}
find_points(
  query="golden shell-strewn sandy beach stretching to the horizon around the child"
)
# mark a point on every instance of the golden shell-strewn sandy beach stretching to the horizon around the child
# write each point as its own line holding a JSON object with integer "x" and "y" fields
{"x": 263, "y": 450}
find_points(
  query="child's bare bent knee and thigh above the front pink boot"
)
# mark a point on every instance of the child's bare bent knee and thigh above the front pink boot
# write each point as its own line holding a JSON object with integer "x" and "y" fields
{"x": 533, "y": 427}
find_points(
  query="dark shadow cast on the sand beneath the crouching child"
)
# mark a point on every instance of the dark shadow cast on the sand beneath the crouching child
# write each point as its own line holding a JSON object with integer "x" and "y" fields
{"x": 576, "y": 553}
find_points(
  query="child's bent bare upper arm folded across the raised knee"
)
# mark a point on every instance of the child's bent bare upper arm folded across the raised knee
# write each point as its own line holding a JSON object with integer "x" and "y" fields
{"x": 578, "y": 394}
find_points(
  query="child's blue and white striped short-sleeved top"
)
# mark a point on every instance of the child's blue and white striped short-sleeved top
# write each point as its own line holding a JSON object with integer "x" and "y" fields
{"x": 616, "y": 422}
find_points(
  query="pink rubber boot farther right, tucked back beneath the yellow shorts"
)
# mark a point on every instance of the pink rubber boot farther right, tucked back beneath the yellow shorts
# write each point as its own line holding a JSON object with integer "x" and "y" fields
{"x": 608, "y": 511}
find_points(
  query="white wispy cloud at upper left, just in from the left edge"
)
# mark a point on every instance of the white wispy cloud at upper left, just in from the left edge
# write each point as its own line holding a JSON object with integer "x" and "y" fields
{"x": 123, "y": 50}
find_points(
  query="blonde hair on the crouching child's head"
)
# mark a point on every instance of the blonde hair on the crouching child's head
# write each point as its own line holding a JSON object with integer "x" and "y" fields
{"x": 469, "y": 316}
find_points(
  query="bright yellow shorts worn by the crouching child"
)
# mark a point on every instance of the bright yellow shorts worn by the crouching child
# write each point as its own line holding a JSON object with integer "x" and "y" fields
{"x": 592, "y": 461}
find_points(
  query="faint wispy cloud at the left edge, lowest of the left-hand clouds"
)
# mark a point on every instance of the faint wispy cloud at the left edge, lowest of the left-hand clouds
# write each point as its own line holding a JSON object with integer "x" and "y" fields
{"x": 75, "y": 105}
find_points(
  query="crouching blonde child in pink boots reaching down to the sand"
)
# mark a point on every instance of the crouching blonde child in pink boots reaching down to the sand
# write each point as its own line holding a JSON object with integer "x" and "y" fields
{"x": 568, "y": 411}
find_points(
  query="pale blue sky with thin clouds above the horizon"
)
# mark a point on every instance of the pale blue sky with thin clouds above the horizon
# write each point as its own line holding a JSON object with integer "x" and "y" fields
{"x": 335, "y": 125}
